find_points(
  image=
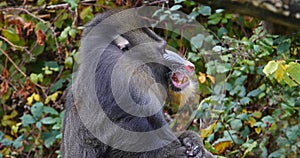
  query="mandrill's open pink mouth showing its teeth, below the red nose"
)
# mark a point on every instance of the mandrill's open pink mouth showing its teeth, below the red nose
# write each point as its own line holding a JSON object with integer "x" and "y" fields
{"x": 180, "y": 80}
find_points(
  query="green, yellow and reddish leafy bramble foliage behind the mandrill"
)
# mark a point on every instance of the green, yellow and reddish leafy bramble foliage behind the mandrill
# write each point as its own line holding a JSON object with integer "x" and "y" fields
{"x": 256, "y": 109}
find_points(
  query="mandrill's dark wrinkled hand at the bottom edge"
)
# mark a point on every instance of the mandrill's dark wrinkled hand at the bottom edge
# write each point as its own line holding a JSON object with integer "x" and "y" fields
{"x": 194, "y": 145}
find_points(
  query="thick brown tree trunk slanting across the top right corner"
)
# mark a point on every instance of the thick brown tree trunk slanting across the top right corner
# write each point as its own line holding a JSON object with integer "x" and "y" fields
{"x": 281, "y": 16}
